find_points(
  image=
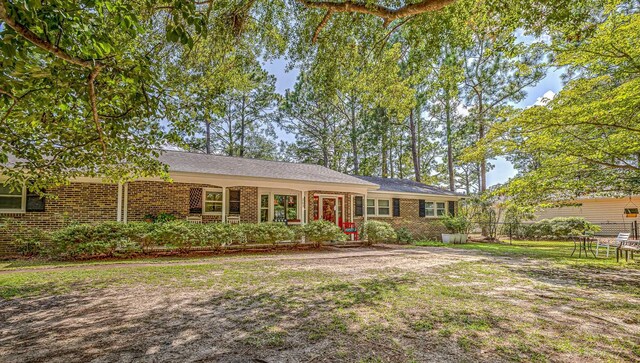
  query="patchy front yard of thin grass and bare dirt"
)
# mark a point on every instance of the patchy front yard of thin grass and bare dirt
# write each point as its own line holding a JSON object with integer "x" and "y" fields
{"x": 398, "y": 304}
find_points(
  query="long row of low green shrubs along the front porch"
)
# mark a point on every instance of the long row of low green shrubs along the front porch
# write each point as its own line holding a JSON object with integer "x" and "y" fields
{"x": 110, "y": 239}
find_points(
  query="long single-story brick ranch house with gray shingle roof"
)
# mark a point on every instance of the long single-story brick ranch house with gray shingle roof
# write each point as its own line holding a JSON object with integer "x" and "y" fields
{"x": 219, "y": 188}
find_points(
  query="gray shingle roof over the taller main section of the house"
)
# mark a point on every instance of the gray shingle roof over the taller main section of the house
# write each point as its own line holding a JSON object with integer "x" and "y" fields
{"x": 225, "y": 165}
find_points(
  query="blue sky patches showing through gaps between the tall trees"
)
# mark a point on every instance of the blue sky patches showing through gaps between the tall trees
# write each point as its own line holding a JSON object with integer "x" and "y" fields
{"x": 503, "y": 169}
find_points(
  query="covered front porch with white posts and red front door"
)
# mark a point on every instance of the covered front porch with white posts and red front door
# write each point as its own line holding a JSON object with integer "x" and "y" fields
{"x": 222, "y": 199}
